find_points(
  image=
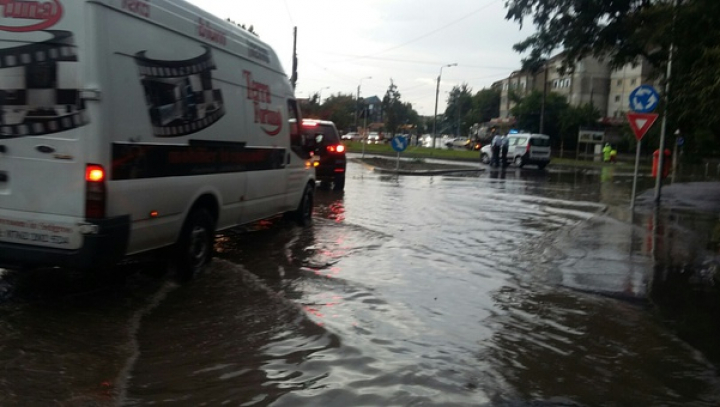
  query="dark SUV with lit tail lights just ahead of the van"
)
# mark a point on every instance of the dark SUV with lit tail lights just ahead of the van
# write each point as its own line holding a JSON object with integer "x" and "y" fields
{"x": 329, "y": 151}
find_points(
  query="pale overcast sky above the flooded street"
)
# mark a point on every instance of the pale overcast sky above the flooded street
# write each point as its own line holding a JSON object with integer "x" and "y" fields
{"x": 340, "y": 43}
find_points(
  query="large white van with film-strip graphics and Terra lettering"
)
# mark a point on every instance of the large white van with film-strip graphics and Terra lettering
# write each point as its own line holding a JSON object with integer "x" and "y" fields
{"x": 128, "y": 126}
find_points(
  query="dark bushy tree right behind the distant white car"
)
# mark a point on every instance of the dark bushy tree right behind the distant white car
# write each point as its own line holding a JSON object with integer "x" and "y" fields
{"x": 527, "y": 114}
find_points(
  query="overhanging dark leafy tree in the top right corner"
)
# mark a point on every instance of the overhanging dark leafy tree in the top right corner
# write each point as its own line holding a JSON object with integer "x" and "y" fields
{"x": 623, "y": 30}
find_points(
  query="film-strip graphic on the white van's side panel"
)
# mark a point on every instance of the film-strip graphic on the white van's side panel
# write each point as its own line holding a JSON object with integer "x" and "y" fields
{"x": 179, "y": 94}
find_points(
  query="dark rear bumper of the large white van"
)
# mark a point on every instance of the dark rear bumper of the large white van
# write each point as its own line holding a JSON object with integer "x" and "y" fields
{"x": 101, "y": 249}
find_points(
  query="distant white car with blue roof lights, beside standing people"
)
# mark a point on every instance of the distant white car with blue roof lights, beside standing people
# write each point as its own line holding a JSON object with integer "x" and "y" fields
{"x": 525, "y": 148}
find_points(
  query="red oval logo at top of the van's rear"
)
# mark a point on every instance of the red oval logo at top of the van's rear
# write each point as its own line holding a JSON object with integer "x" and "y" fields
{"x": 24, "y": 16}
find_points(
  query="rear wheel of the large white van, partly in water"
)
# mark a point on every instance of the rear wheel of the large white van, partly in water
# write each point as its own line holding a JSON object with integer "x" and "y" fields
{"x": 195, "y": 246}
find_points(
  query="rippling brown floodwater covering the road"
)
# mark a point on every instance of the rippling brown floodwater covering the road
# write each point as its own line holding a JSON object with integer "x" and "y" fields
{"x": 500, "y": 288}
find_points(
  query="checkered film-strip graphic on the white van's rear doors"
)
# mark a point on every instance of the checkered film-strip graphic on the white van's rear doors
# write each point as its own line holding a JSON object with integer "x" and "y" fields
{"x": 35, "y": 98}
